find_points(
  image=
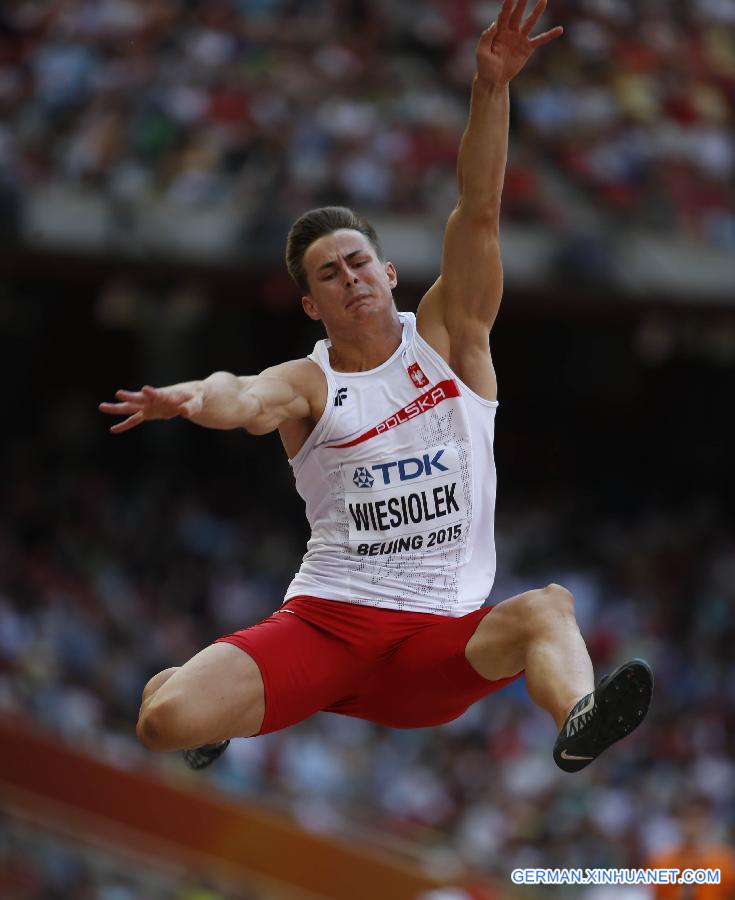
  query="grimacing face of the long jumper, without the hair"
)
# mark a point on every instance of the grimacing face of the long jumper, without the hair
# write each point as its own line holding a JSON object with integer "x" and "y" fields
{"x": 347, "y": 281}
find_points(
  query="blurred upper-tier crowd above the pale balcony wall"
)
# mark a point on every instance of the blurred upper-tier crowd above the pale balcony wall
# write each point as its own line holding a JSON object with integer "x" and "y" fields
{"x": 273, "y": 106}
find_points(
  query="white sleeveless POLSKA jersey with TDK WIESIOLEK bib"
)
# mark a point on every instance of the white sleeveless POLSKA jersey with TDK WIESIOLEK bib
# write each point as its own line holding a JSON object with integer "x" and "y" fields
{"x": 399, "y": 483}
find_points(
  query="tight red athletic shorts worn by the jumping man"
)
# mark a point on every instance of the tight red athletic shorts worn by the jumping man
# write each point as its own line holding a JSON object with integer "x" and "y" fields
{"x": 400, "y": 669}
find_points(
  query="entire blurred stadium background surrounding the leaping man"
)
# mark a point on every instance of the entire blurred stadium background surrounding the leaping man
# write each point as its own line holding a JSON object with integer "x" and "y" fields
{"x": 152, "y": 157}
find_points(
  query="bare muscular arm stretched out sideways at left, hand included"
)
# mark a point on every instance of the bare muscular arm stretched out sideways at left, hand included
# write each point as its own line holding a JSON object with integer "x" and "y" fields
{"x": 257, "y": 403}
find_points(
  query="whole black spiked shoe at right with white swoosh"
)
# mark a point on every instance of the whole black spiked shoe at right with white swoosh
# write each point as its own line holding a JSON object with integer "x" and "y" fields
{"x": 617, "y": 706}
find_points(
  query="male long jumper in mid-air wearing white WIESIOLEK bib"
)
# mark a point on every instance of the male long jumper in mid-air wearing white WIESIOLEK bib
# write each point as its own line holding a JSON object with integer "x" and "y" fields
{"x": 388, "y": 426}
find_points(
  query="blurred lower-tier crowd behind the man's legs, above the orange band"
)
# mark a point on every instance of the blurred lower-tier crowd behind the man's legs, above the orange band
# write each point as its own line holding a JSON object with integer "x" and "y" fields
{"x": 103, "y": 584}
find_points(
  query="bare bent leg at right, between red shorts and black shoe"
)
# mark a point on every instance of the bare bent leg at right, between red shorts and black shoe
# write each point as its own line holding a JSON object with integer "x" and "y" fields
{"x": 536, "y": 631}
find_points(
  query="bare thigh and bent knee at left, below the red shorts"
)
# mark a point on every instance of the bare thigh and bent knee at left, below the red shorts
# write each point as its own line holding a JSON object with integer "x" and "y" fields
{"x": 217, "y": 694}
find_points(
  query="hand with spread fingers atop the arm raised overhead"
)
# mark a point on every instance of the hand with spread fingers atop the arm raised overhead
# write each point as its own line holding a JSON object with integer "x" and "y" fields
{"x": 505, "y": 47}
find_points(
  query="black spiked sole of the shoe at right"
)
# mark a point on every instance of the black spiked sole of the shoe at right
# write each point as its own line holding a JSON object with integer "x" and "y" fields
{"x": 623, "y": 699}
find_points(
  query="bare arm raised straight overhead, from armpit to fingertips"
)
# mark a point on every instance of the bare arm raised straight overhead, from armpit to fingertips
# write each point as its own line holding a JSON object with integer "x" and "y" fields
{"x": 459, "y": 309}
